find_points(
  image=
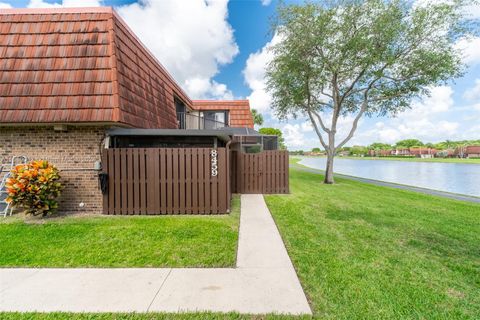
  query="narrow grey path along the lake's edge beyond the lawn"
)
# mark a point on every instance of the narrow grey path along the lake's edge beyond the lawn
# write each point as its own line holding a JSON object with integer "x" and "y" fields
{"x": 449, "y": 195}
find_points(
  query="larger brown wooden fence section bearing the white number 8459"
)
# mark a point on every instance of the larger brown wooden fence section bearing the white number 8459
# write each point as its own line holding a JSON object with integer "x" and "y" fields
{"x": 166, "y": 181}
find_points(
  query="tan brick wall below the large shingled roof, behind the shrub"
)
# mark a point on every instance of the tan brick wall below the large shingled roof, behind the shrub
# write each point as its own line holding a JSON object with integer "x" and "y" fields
{"x": 73, "y": 151}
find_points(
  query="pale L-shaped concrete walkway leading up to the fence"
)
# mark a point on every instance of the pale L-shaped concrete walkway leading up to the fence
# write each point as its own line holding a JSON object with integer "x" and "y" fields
{"x": 264, "y": 281}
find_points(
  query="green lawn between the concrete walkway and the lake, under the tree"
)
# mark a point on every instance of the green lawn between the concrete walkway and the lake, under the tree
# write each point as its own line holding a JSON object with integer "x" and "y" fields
{"x": 369, "y": 252}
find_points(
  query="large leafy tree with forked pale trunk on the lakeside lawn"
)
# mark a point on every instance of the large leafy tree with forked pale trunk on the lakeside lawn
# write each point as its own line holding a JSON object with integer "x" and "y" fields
{"x": 354, "y": 58}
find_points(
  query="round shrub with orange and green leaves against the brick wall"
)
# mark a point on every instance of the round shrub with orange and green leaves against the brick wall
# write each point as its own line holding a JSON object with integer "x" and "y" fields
{"x": 34, "y": 186}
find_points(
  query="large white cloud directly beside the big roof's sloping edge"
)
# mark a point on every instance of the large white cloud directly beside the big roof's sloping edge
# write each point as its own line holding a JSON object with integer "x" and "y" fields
{"x": 191, "y": 41}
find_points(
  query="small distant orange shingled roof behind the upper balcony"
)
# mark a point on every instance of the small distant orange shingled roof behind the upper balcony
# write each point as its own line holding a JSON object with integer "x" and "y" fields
{"x": 238, "y": 110}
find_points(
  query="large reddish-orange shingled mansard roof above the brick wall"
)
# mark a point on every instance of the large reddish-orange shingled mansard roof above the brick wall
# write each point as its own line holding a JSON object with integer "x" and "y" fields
{"x": 83, "y": 65}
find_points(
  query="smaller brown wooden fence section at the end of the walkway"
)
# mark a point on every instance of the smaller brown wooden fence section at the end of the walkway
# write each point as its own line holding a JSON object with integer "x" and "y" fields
{"x": 264, "y": 172}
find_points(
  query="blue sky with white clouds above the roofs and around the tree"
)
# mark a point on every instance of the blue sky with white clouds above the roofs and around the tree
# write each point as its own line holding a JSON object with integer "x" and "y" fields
{"x": 217, "y": 49}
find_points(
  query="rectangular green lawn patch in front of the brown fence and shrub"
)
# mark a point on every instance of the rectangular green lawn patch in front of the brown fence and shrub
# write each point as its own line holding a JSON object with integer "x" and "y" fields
{"x": 121, "y": 241}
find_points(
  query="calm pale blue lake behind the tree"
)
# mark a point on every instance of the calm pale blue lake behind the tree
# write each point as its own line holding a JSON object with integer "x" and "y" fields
{"x": 450, "y": 177}
